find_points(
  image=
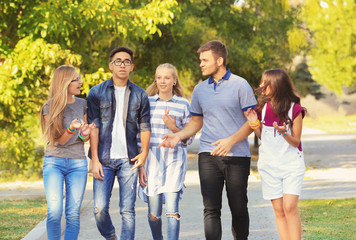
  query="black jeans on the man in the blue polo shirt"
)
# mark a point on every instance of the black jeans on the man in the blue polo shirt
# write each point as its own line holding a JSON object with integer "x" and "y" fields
{"x": 213, "y": 173}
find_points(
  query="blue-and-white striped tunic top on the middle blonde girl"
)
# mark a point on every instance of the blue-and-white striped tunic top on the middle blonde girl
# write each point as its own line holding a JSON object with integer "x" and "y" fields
{"x": 166, "y": 167}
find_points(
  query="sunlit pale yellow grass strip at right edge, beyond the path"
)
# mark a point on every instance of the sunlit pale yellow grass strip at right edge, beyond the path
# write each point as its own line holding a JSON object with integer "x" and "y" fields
{"x": 332, "y": 123}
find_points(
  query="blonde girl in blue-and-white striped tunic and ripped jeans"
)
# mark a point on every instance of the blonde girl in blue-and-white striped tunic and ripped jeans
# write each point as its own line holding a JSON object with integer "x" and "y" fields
{"x": 162, "y": 178}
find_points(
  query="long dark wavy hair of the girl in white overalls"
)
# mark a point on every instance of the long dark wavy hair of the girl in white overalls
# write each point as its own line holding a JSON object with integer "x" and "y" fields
{"x": 282, "y": 92}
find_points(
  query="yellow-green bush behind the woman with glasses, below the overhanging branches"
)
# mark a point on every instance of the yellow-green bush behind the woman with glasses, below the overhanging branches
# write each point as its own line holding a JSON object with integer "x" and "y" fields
{"x": 24, "y": 83}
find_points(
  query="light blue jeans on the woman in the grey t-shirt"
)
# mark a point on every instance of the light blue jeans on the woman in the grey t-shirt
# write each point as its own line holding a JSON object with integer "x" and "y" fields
{"x": 73, "y": 172}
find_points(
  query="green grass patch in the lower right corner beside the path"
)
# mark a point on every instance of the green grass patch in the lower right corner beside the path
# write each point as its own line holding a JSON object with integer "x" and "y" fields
{"x": 328, "y": 219}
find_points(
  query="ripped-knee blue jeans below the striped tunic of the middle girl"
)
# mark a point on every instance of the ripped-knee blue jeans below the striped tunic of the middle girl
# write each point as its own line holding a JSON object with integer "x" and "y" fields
{"x": 172, "y": 208}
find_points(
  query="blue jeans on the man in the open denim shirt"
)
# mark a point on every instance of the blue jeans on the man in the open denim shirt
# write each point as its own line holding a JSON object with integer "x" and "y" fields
{"x": 102, "y": 193}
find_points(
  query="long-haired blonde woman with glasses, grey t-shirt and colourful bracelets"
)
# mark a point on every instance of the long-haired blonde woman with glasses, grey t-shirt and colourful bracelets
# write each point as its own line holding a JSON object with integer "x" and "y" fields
{"x": 65, "y": 128}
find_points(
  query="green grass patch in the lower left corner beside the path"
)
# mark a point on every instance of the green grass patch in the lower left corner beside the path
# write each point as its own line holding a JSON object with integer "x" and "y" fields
{"x": 18, "y": 217}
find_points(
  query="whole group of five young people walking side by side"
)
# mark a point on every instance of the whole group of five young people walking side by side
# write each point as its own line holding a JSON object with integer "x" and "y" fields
{"x": 137, "y": 135}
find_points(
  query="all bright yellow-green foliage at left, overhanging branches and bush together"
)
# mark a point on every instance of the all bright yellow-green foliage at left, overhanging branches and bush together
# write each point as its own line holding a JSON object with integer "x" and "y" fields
{"x": 38, "y": 36}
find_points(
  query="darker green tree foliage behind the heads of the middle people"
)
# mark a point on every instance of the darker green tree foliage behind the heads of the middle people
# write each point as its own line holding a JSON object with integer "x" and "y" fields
{"x": 256, "y": 37}
